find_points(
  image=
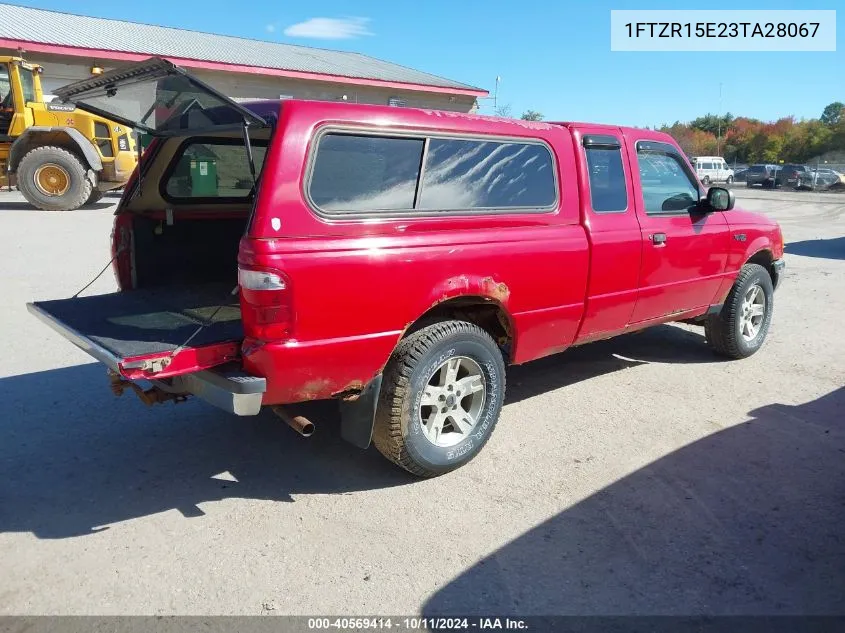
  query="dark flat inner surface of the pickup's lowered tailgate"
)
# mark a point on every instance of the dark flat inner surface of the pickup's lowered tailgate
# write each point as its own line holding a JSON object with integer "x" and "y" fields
{"x": 148, "y": 321}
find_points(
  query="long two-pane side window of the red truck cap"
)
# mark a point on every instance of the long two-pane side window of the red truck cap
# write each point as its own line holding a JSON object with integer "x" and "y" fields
{"x": 354, "y": 174}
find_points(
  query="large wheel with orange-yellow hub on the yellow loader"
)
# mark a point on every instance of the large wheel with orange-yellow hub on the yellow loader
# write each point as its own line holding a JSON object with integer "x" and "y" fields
{"x": 53, "y": 179}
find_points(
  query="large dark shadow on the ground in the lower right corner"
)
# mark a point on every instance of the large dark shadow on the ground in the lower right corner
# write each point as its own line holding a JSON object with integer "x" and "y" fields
{"x": 745, "y": 521}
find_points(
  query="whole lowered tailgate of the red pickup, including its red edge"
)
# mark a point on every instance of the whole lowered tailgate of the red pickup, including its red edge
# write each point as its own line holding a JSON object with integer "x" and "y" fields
{"x": 151, "y": 333}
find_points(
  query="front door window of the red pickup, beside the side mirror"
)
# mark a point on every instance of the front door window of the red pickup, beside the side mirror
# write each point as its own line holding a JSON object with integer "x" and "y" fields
{"x": 667, "y": 186}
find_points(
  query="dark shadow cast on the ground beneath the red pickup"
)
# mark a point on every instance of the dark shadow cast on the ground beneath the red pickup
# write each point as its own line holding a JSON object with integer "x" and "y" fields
{"x": 74, "y": 458}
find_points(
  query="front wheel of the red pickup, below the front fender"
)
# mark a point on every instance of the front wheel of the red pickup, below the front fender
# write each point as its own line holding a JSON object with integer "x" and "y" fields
{"x": 739, "y": 330}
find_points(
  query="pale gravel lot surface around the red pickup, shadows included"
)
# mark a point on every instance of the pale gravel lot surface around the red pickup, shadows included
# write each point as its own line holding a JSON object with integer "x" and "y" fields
{"x": 638, "y": 475}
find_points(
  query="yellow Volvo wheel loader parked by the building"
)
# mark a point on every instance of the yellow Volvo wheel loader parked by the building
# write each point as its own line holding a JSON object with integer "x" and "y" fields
{"x": 60, "y": 158}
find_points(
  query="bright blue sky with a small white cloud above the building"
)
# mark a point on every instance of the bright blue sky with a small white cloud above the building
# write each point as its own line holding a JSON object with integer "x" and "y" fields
{"x": 553, "y": 56}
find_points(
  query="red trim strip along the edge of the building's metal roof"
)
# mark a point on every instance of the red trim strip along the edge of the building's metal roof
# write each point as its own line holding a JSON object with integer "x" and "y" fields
{"x": 73, "y": 51}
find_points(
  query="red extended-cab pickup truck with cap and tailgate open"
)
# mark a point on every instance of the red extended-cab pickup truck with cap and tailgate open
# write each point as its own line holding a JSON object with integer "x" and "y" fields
{"x": 396, "y": 260}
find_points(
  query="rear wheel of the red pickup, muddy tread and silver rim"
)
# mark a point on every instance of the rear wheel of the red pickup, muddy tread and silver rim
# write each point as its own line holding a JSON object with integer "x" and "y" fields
{"x": 441, "y": 397}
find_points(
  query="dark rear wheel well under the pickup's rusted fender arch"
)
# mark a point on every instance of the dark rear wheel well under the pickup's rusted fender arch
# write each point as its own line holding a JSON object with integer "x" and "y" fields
{"x": 489, "y": 316}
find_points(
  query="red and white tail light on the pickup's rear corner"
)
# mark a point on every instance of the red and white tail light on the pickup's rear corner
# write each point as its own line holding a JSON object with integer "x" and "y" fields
{"x": 265, "y": 304}
